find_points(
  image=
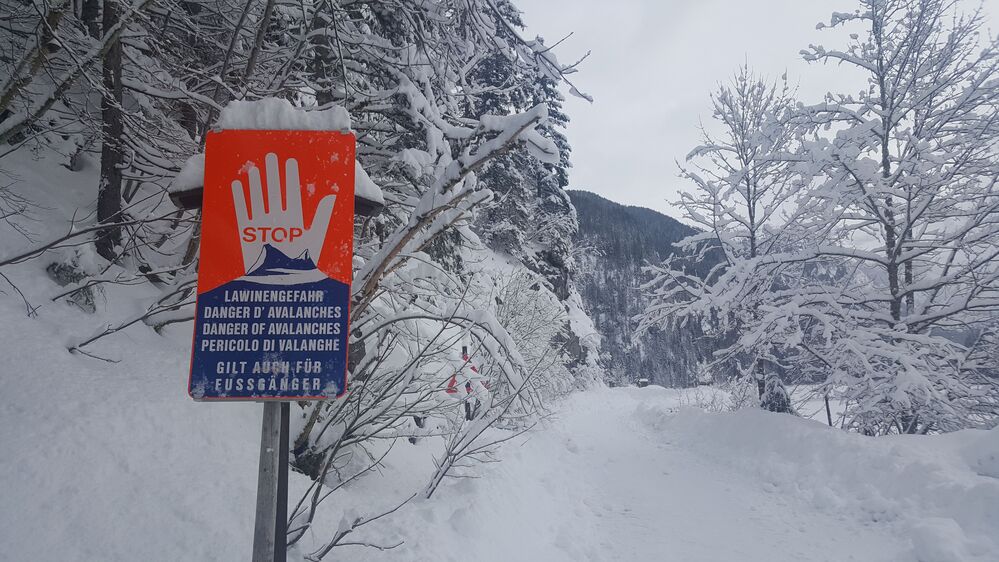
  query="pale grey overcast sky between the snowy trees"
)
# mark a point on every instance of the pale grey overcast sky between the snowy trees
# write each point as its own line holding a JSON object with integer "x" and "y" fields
{"x": 652, "y": 67}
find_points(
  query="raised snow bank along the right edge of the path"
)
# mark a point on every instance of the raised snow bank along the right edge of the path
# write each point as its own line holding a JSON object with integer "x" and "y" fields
{"x": 939, "y": 491}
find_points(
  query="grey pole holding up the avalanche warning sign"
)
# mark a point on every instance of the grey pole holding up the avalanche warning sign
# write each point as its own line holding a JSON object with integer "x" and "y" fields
{"x": 264, "y": 526}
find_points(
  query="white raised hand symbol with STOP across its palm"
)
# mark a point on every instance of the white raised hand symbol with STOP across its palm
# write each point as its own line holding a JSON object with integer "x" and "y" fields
{"x": 281, "y": 226}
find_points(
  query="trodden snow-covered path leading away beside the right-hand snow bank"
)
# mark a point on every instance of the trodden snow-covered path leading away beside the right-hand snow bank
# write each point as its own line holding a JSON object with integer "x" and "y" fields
{"x": 656, "y": 500}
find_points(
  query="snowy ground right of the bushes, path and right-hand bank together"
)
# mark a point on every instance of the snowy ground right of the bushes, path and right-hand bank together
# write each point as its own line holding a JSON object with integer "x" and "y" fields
{"x": 621, "y": 476}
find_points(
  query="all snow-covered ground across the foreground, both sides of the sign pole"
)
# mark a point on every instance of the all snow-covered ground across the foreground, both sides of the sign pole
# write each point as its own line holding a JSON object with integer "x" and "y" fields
{"x": 110, "y": 460}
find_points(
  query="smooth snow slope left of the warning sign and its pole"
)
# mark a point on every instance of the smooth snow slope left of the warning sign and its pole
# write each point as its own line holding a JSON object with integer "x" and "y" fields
{"x": 111, "y": 461}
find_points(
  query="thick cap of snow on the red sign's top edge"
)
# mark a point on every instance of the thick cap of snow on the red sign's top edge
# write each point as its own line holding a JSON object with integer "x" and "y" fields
{"x": 278, "y": 114}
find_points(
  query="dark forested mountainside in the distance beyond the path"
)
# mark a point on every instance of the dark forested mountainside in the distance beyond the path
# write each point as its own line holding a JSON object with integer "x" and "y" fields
{"x": 616, "y": 241}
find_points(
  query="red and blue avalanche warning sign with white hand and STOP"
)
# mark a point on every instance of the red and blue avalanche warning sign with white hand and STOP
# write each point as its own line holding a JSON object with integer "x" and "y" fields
{"x": 275, "y": 268}
